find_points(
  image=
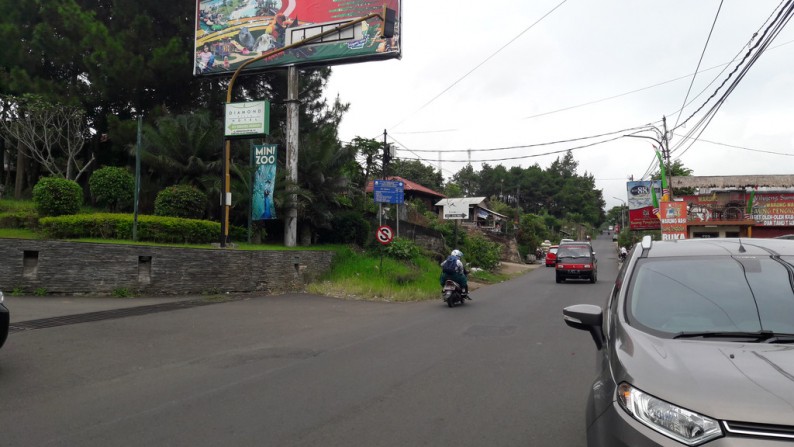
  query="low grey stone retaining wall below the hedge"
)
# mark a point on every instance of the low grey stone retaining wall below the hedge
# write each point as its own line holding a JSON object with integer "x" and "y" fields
{"x": 87, "y": 268}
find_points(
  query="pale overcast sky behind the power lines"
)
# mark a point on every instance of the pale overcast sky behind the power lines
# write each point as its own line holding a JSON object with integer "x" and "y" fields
{"x": 503, "y": 73}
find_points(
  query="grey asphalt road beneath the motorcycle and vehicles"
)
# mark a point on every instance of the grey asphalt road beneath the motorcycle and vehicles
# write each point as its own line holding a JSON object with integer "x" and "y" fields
{"x": 303, "y": 370}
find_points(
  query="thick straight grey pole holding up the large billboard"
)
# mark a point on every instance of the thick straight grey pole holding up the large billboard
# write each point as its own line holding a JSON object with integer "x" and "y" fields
{"x": 291, "y": 220}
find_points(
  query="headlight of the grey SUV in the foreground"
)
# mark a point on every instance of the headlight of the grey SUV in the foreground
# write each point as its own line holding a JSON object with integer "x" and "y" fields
{"x": 675, "y": 422}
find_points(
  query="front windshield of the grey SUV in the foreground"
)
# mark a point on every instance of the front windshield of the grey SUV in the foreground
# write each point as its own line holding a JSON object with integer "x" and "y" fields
{"x": 742, "y": 294}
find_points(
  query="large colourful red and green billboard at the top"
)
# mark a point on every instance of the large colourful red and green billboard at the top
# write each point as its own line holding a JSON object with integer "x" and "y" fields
{"x": 230, "y": 32}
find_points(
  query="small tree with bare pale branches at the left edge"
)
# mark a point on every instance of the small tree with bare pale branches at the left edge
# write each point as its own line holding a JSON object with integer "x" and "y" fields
{"x": 51, "y": 134}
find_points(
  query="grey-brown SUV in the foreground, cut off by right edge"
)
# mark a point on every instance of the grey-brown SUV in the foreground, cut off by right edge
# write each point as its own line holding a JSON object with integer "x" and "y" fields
{"x": 695, "y": 346}
